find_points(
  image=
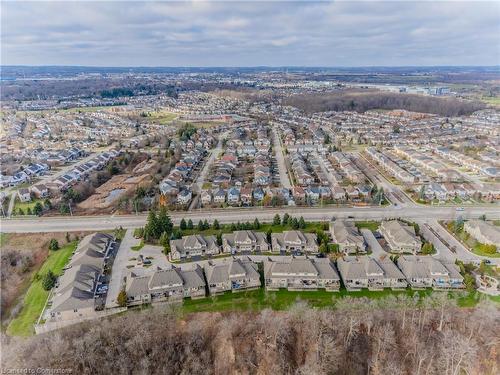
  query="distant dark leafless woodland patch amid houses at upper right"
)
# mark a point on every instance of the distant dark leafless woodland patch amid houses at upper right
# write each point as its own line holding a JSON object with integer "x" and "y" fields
{"x": 362, "y": 101}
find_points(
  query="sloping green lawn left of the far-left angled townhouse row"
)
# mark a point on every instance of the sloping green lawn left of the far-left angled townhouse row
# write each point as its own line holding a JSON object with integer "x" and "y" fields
{"x": 36, "y": 296}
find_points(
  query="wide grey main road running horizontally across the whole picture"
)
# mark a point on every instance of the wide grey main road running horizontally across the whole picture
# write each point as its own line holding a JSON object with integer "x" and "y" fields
{"x": 77, "y": 223}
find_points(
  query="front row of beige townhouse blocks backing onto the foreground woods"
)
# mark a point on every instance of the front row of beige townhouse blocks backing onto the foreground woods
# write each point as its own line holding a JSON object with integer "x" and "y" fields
{"x": 291, "y": 273}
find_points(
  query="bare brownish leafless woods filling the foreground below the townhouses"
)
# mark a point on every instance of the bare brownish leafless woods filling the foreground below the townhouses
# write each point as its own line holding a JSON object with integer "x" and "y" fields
{"x": 358, "y": 337}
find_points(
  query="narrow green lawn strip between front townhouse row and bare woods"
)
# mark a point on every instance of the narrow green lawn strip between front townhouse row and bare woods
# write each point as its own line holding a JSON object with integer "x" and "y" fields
{"x": 259, "y": 299}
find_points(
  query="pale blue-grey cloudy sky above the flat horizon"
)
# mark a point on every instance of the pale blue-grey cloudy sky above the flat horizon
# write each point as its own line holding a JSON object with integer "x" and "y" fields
{"x": 250, "y": 33}
